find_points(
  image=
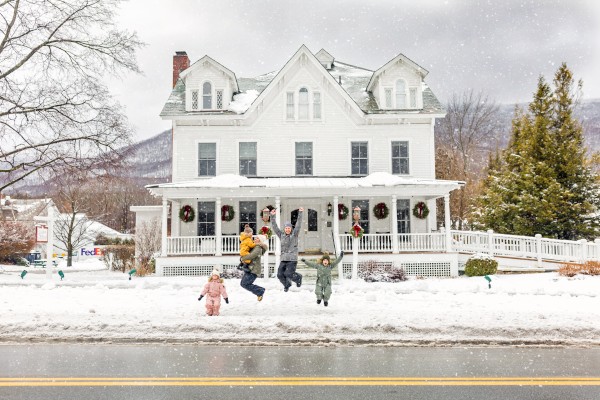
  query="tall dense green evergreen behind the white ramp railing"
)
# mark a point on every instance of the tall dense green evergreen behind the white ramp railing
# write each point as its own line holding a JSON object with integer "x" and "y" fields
{"x": 542, "y": 183}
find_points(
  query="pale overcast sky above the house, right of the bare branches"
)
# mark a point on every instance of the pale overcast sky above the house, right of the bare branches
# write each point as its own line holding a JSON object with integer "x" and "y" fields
{"x": 499, "y": 47}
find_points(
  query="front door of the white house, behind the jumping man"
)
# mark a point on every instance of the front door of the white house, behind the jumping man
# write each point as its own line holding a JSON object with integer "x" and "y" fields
{"x": 309, "y": 240}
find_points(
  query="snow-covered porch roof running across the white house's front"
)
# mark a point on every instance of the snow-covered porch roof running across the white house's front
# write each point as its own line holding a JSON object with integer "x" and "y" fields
{"x": 307, "y": 186}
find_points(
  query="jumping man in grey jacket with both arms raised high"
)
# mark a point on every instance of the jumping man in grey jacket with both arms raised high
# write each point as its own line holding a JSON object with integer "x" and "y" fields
{"x": 286, "y": 273}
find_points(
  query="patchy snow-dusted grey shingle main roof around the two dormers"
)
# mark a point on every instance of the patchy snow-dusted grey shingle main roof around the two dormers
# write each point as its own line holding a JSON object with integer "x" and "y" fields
{"x": 354, "y": 80}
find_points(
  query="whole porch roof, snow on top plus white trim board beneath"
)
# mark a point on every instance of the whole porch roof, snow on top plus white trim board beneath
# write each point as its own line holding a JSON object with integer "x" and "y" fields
{"x": 235, "y": 186}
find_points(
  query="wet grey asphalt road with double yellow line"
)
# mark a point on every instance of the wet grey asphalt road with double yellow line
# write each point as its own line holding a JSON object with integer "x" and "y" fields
{"x": 103, "y": 371}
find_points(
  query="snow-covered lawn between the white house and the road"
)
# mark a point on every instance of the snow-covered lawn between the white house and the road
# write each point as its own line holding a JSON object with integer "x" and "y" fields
{"x": 98, "y": 305}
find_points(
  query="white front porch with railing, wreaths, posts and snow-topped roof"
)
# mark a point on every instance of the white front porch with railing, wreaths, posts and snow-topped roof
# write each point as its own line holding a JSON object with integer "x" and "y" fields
{"x": 211, "y": 239}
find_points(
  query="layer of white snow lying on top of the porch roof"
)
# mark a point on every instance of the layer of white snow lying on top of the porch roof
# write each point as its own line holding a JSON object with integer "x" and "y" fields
{"x": 378, "y": 179}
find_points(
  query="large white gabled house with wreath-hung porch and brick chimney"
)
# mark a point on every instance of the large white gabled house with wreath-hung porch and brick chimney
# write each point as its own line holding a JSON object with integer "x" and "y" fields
{"x": 318, "y": 133}
